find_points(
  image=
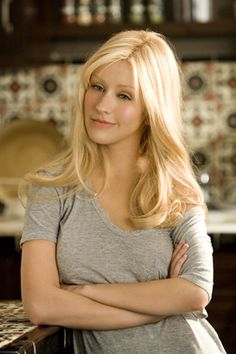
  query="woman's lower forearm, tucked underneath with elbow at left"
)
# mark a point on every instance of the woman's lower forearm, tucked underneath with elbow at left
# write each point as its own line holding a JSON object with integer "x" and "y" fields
{"x": 63, "y": 308}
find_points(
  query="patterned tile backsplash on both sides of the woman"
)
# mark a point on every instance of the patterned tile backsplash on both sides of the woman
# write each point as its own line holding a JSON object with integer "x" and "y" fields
{"x": 47, "y": 93}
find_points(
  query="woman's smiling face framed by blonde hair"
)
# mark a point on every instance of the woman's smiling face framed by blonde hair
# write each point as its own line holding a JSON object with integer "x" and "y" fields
{"x": 113, "y": 110}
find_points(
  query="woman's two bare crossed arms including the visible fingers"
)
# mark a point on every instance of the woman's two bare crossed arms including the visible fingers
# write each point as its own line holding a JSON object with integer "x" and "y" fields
{"x": 102, "y": 306}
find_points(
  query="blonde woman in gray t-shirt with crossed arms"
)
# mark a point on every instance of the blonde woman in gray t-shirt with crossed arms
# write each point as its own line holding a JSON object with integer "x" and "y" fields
{"x": 114, "y": 242}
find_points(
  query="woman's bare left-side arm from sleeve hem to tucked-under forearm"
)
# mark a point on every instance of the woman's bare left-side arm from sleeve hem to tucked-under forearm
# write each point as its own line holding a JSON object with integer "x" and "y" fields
{"x": 46, "y": 303}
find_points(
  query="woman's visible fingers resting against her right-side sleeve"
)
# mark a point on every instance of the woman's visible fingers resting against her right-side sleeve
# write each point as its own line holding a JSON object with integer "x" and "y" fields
{"x": 179, "y": 256}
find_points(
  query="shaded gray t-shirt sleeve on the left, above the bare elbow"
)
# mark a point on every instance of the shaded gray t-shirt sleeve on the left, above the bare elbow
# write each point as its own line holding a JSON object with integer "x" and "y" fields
{"x": 42, "y": 215}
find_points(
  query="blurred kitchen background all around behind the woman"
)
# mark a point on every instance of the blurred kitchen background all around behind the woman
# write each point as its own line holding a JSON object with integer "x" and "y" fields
{"x": 43, "y": 45}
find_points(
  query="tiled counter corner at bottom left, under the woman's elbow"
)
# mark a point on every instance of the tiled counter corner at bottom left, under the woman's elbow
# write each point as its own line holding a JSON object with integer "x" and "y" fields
{"x": 19, "y": 336}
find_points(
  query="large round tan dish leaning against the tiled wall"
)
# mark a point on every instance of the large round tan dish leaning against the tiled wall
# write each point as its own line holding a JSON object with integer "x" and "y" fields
{"x": 24, "y": 146}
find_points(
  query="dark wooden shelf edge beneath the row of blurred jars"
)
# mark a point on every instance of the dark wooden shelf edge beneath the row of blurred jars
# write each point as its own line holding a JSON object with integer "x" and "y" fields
{"x": 221, "y": 28}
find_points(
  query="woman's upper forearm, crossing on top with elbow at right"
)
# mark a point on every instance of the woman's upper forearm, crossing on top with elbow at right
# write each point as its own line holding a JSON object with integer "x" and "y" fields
{"x": 161, "y": 297}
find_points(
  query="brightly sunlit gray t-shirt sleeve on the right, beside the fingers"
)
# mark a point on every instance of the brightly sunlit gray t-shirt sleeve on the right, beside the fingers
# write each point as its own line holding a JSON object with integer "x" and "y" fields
{"x": 198, "y": 267}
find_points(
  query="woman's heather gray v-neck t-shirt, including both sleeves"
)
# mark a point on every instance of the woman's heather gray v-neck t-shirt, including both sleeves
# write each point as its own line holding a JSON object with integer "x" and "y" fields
{"x": 90, "y": 249}
